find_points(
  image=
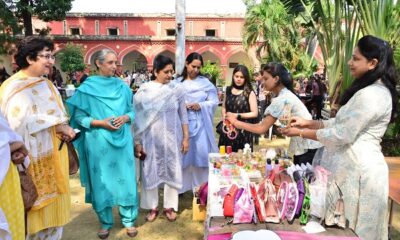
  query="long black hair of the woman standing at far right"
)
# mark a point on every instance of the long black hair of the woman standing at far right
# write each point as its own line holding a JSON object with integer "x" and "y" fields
{"x": 375, "y": 48}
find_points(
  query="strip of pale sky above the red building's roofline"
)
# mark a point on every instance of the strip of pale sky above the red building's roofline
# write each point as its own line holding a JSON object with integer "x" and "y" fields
{"x": 158, "y": 6}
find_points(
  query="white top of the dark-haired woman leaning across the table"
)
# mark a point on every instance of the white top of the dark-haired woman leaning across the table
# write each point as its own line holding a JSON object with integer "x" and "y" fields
{"x": 297, "y": 145}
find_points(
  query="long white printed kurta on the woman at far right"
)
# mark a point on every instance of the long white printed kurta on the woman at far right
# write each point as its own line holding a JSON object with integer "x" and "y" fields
{"x": 353, "y": 154}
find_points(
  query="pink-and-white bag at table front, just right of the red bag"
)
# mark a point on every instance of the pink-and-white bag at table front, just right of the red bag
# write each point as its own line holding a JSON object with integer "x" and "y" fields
{"x": 244, "y": 208}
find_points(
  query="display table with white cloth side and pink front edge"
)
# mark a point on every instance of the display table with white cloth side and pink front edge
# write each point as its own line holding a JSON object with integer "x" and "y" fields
{"x": 216, "y": 224}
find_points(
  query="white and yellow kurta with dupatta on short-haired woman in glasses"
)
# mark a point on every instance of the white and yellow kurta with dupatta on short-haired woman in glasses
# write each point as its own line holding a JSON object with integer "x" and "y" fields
{"x": 33, "y": 108}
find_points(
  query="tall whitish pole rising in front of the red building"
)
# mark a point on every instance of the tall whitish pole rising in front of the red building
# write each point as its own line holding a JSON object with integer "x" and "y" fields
{"x": 180, "y": 10}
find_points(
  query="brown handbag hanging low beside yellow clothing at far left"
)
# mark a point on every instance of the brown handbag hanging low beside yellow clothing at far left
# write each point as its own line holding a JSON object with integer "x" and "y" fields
{"x": 28, "y": 189}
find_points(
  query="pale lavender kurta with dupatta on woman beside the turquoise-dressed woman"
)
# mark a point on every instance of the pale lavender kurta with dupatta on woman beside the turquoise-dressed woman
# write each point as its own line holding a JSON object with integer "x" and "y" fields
{"x": 161, "y": 134}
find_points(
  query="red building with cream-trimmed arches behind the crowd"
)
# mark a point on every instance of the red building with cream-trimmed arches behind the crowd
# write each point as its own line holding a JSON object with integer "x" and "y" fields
{"x": 138, "y": 38}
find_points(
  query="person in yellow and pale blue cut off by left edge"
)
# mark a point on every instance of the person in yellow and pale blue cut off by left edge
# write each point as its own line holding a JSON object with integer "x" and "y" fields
{"x": 12, "y": 152}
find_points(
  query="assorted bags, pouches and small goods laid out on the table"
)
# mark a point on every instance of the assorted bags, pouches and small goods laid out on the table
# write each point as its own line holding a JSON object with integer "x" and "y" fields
{"x": 257, "y": 188}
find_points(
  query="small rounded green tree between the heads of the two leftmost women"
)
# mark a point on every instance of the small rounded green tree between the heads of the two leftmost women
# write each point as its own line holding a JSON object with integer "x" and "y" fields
{"x": 71, "y": 59}
